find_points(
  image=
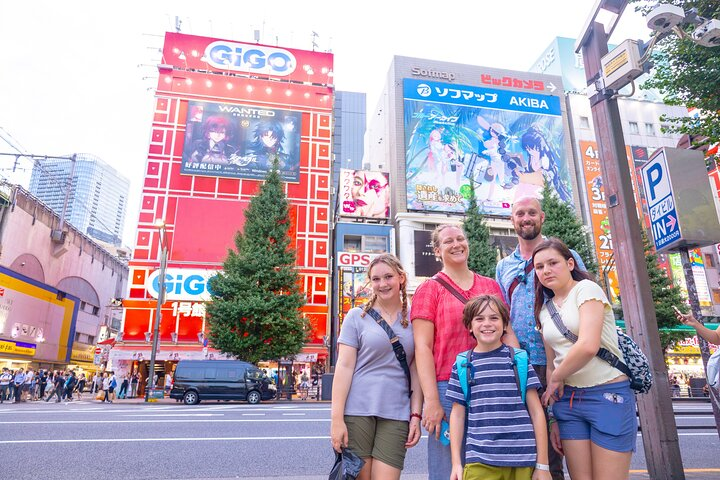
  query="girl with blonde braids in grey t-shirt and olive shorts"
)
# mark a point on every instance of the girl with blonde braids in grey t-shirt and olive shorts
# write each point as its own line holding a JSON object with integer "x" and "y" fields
{"x": 376, "y": 398}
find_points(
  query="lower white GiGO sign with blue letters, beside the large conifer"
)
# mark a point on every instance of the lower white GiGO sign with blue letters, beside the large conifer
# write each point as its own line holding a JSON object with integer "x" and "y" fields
{"x": 181, "y": 284}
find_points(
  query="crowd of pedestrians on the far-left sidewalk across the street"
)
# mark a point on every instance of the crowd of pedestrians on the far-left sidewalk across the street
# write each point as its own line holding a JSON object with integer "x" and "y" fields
{"x": 24, "y": 385}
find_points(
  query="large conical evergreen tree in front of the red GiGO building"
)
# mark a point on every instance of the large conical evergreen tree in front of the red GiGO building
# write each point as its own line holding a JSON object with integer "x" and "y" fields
{"x": 255, "y": 309}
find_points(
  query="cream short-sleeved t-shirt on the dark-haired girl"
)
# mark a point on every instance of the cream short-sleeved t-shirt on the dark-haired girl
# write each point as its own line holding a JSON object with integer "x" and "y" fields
{"x": 597, "y": 371}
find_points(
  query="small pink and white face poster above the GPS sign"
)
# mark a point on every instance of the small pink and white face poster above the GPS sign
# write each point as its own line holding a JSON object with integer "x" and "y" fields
{"x": 364, "y": 194}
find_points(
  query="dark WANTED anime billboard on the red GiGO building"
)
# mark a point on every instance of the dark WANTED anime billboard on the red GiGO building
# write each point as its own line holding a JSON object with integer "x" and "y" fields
{"x": 241, "y": 141}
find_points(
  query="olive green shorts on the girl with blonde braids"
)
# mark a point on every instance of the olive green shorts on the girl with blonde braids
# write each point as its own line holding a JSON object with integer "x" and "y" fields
{"x": 379, "y": 438}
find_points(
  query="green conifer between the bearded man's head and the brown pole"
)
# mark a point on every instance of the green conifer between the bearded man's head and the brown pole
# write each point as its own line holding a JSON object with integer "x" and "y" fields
{"x": 561, "y": 222}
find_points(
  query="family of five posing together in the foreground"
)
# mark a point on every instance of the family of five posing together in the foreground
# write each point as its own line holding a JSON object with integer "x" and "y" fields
{"x": 449, "y": 363}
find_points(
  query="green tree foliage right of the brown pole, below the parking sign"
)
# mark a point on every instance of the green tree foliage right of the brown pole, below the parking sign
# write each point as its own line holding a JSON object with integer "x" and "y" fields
{"x": 664, "y": 294}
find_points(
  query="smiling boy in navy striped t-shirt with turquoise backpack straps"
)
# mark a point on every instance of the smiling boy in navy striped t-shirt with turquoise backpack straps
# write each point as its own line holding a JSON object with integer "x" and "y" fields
{"x": 505, "y": 438}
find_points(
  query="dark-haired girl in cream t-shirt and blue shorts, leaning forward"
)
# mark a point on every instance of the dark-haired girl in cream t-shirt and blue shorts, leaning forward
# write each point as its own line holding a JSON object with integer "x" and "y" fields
{"x": 591, "y": 400}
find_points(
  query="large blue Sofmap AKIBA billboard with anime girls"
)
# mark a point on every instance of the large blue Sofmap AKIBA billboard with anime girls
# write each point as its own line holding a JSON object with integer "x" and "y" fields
{"x": 504, "y": 144}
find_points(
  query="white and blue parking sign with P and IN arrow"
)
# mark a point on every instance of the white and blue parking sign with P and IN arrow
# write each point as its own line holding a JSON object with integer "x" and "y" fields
{"x": 661, "y": 203}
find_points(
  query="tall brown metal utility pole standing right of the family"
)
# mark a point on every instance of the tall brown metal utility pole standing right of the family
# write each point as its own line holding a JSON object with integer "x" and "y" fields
{"x": 657, "y": 421}
